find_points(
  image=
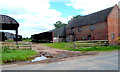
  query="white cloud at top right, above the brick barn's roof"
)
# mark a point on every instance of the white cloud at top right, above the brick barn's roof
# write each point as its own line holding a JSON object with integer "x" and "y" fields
{"x": 91, "y": 6}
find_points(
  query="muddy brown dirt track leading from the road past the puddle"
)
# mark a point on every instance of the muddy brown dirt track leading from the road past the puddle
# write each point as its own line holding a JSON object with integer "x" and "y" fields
{"x": 55, "y": 55}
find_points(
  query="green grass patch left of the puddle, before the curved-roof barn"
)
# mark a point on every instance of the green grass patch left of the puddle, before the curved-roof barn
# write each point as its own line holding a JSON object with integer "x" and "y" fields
{"x": 9, "y": 55}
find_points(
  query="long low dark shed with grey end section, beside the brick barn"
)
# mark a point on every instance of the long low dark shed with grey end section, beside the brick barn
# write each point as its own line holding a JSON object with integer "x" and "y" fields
{"x": 56, "y": 35}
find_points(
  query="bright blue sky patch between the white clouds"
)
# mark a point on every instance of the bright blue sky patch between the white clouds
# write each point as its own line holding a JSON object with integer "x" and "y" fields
{"x": 65, "y": 10}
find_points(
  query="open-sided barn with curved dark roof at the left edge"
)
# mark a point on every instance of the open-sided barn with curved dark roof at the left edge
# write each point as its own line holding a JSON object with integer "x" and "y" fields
{"x": 8, "y": 23}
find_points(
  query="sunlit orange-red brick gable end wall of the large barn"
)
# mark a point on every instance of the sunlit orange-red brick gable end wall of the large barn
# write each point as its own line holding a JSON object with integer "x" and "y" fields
{"x": 113, "y": 25}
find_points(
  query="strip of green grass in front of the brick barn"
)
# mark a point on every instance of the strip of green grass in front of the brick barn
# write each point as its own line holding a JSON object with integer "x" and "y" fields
{"x": 70, "y": 46}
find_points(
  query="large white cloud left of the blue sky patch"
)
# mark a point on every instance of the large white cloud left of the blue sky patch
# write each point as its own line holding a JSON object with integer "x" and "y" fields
{"x": 34, "y": 16}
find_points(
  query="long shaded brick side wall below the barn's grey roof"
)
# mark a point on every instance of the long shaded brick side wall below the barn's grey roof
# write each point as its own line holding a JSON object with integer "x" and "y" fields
{"x": 99, "y": 33}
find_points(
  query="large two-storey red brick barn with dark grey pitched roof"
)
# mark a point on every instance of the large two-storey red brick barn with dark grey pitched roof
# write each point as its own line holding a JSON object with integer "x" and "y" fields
{"x": 101, "y": 25}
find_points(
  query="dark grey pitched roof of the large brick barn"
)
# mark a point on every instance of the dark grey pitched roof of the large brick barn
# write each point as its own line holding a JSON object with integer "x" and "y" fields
{"x": 94, "y": 18}
